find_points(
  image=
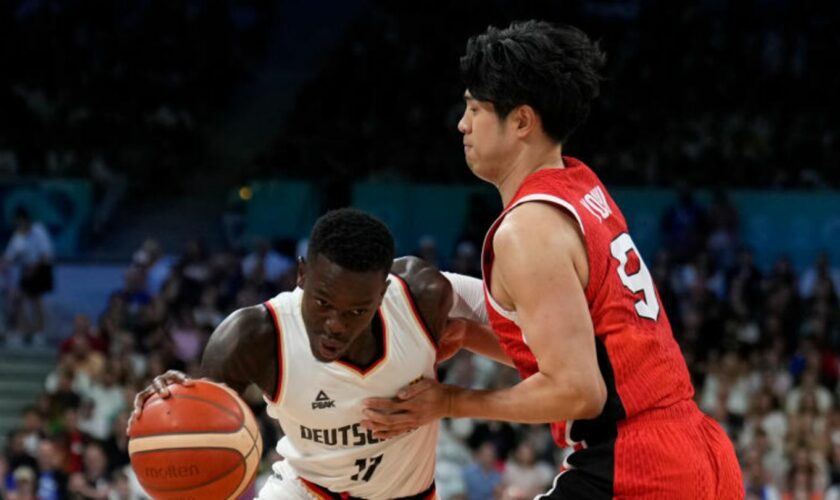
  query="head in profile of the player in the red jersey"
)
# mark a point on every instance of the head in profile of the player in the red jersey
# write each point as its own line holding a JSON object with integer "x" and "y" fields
{"x": 531, "y": 74}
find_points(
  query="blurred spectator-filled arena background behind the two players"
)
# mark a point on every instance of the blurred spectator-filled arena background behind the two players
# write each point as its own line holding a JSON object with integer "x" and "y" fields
{"x": 139, "y": 98}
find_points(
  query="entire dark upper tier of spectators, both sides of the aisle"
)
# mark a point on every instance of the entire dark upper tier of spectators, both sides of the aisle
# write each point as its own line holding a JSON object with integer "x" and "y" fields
{"x": 732, "y": 93}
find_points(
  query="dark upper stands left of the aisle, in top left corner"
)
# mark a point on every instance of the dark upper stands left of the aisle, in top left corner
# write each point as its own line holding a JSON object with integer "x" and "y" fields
{"x": 120, "y": 89}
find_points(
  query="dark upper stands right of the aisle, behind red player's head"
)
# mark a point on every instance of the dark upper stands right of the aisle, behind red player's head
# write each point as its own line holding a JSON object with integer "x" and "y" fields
{"x": 712, "y": 93}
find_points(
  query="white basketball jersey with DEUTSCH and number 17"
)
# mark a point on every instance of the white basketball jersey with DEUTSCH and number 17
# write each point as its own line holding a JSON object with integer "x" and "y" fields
{"x": 319, "y": 405}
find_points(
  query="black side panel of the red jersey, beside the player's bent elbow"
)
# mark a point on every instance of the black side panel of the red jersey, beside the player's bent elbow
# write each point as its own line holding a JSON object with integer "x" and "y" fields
{"x": 604, "y": 427}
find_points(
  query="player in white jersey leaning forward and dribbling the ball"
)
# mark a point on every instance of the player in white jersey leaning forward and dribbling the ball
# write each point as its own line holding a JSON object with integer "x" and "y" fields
{"x": 350, "y": 331}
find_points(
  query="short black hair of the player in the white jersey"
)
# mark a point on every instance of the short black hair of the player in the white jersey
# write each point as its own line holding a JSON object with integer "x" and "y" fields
{"x": 354, "y": 240}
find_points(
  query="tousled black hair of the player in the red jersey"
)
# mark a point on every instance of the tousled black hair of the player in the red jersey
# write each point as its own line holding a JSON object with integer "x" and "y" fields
{"x": 552, "y": 68}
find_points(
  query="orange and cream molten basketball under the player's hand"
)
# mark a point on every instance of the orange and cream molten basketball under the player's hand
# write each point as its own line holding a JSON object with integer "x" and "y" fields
{"x": 202, "y": 442}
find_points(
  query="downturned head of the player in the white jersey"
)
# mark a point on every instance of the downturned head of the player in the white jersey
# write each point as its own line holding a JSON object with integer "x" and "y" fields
{"x": 344, "y": 278}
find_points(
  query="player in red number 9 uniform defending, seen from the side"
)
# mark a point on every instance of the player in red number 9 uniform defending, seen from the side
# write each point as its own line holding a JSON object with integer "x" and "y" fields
{"x": 568, "y": 294}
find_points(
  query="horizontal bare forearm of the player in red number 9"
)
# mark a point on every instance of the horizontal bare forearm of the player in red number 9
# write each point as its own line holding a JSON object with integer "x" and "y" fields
{"x": 537, "y": 399}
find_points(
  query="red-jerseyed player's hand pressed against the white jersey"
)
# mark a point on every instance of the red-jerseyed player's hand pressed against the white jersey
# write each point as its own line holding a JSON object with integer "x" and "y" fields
{"x": 415, "y": 405}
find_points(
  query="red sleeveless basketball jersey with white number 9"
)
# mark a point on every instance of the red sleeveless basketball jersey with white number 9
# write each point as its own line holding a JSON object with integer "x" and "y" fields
{"x": 639, "y": 359}
